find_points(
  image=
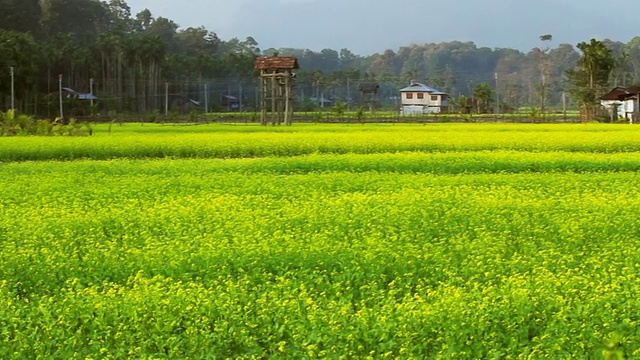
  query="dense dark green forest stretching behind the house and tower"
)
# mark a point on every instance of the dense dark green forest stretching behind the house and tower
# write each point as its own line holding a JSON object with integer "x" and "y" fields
{"x": 139, "y": 63}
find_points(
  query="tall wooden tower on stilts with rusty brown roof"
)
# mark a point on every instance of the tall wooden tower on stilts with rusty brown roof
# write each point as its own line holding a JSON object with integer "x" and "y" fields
{"x": 276, "y": 88}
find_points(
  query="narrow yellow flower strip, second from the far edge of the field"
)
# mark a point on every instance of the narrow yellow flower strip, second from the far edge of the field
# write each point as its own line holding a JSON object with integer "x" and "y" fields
{"x": 440, "y": 163}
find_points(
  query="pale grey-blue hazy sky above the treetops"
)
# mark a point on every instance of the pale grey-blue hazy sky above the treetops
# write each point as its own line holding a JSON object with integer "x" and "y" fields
{"x": 370, "y": 26}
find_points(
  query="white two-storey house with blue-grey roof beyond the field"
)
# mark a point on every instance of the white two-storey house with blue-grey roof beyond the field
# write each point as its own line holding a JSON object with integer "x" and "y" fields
{"x": 419, "y": 98}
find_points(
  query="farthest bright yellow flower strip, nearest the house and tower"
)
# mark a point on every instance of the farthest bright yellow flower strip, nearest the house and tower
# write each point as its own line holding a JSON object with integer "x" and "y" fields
{"x": 220, "y": 141}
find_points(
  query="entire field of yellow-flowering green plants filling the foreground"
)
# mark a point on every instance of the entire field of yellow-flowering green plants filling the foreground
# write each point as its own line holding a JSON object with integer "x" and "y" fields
{"x": 322, "y": 241}
